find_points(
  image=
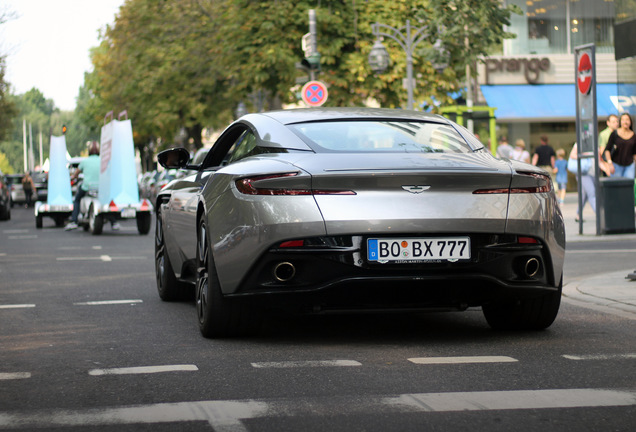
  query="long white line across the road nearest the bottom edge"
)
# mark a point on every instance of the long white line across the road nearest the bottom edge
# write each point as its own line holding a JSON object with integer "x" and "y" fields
{"x": 228, "y": 415}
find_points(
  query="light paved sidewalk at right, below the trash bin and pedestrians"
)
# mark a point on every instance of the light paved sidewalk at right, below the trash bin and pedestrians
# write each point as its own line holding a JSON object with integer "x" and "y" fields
{"x": 609, "y": 292}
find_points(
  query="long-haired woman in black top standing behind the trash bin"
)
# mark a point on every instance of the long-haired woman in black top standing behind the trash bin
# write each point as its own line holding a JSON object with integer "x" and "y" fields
{"x": 621, "y": 148}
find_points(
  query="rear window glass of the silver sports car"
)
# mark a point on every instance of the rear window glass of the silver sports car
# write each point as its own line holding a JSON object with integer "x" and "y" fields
{"x": 381, "y": 136}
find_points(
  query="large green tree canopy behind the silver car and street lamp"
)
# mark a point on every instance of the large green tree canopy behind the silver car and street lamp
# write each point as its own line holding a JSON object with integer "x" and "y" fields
{"x": 186, "y": 64}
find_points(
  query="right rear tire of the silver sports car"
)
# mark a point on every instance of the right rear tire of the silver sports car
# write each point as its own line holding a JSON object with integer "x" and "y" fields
{"x": 528, "y": 314}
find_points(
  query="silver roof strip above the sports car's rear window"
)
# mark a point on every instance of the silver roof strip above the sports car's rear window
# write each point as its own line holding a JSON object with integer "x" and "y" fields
{"x": 324, "y": 114}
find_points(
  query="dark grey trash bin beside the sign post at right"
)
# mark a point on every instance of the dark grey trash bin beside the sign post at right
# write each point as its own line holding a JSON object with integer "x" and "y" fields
{"x": 617, "y": 205}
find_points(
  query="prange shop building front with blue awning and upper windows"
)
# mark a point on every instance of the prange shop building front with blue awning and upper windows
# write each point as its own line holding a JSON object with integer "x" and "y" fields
{"x": 532, "y": 84}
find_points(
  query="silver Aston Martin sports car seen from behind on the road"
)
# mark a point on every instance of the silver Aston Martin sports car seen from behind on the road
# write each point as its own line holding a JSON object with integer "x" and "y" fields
{"x": 343, "y": 210}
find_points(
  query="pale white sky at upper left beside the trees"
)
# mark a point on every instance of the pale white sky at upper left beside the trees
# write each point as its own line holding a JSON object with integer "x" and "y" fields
{"x": 47, "y": 45}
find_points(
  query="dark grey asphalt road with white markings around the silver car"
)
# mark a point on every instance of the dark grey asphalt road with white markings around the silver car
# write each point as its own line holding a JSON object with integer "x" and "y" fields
{"x": 86, "y": 344}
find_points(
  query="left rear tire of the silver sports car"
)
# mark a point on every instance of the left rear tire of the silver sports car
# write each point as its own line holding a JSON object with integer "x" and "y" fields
{"x": 219, "y": 316}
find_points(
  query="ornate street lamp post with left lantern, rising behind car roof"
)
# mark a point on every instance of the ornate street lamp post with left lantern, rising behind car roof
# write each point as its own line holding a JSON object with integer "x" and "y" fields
{"x": 408, "y": 37}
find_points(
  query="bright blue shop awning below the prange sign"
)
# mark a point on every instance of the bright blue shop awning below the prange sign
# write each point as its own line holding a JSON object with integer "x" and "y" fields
{"x": 546, "y": 102}
